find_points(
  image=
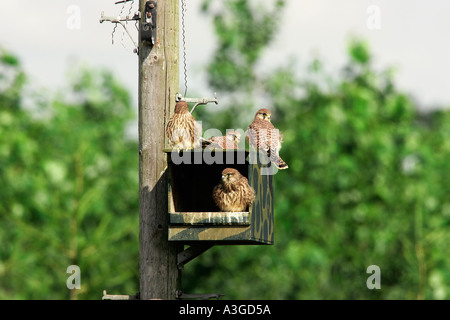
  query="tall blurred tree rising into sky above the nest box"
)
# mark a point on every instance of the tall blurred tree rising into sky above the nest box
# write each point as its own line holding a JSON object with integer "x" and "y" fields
{"x": 243, "y": 29}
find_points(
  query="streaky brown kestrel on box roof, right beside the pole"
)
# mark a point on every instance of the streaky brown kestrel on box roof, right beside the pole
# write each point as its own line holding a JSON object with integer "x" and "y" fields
{"x": 182, "y": 129}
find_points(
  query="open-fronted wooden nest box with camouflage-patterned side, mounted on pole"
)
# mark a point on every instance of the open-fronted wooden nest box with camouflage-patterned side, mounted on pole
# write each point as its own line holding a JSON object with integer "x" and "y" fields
{"x": 194, "y": 217}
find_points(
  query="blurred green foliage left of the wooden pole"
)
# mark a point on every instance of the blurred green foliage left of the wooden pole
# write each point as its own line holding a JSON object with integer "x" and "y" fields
{"x": 69, "y": 191}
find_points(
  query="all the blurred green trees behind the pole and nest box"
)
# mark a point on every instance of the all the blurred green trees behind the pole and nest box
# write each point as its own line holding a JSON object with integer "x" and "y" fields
{"x": 366, "y": 183}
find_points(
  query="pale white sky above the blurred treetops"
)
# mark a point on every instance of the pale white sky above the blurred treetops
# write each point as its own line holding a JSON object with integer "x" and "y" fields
{"x": 414, "y": 37}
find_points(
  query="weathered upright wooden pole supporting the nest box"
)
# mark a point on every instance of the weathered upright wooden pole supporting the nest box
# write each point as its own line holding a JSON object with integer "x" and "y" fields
{"x": 158, "y": 85}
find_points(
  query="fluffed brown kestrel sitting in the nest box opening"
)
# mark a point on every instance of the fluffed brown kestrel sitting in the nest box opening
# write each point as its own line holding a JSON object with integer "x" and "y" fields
{"x": 233, "y": 193}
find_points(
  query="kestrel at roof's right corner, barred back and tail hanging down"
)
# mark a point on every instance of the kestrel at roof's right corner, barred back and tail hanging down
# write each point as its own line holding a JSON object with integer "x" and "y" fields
{"x": 263, "y": 136}
